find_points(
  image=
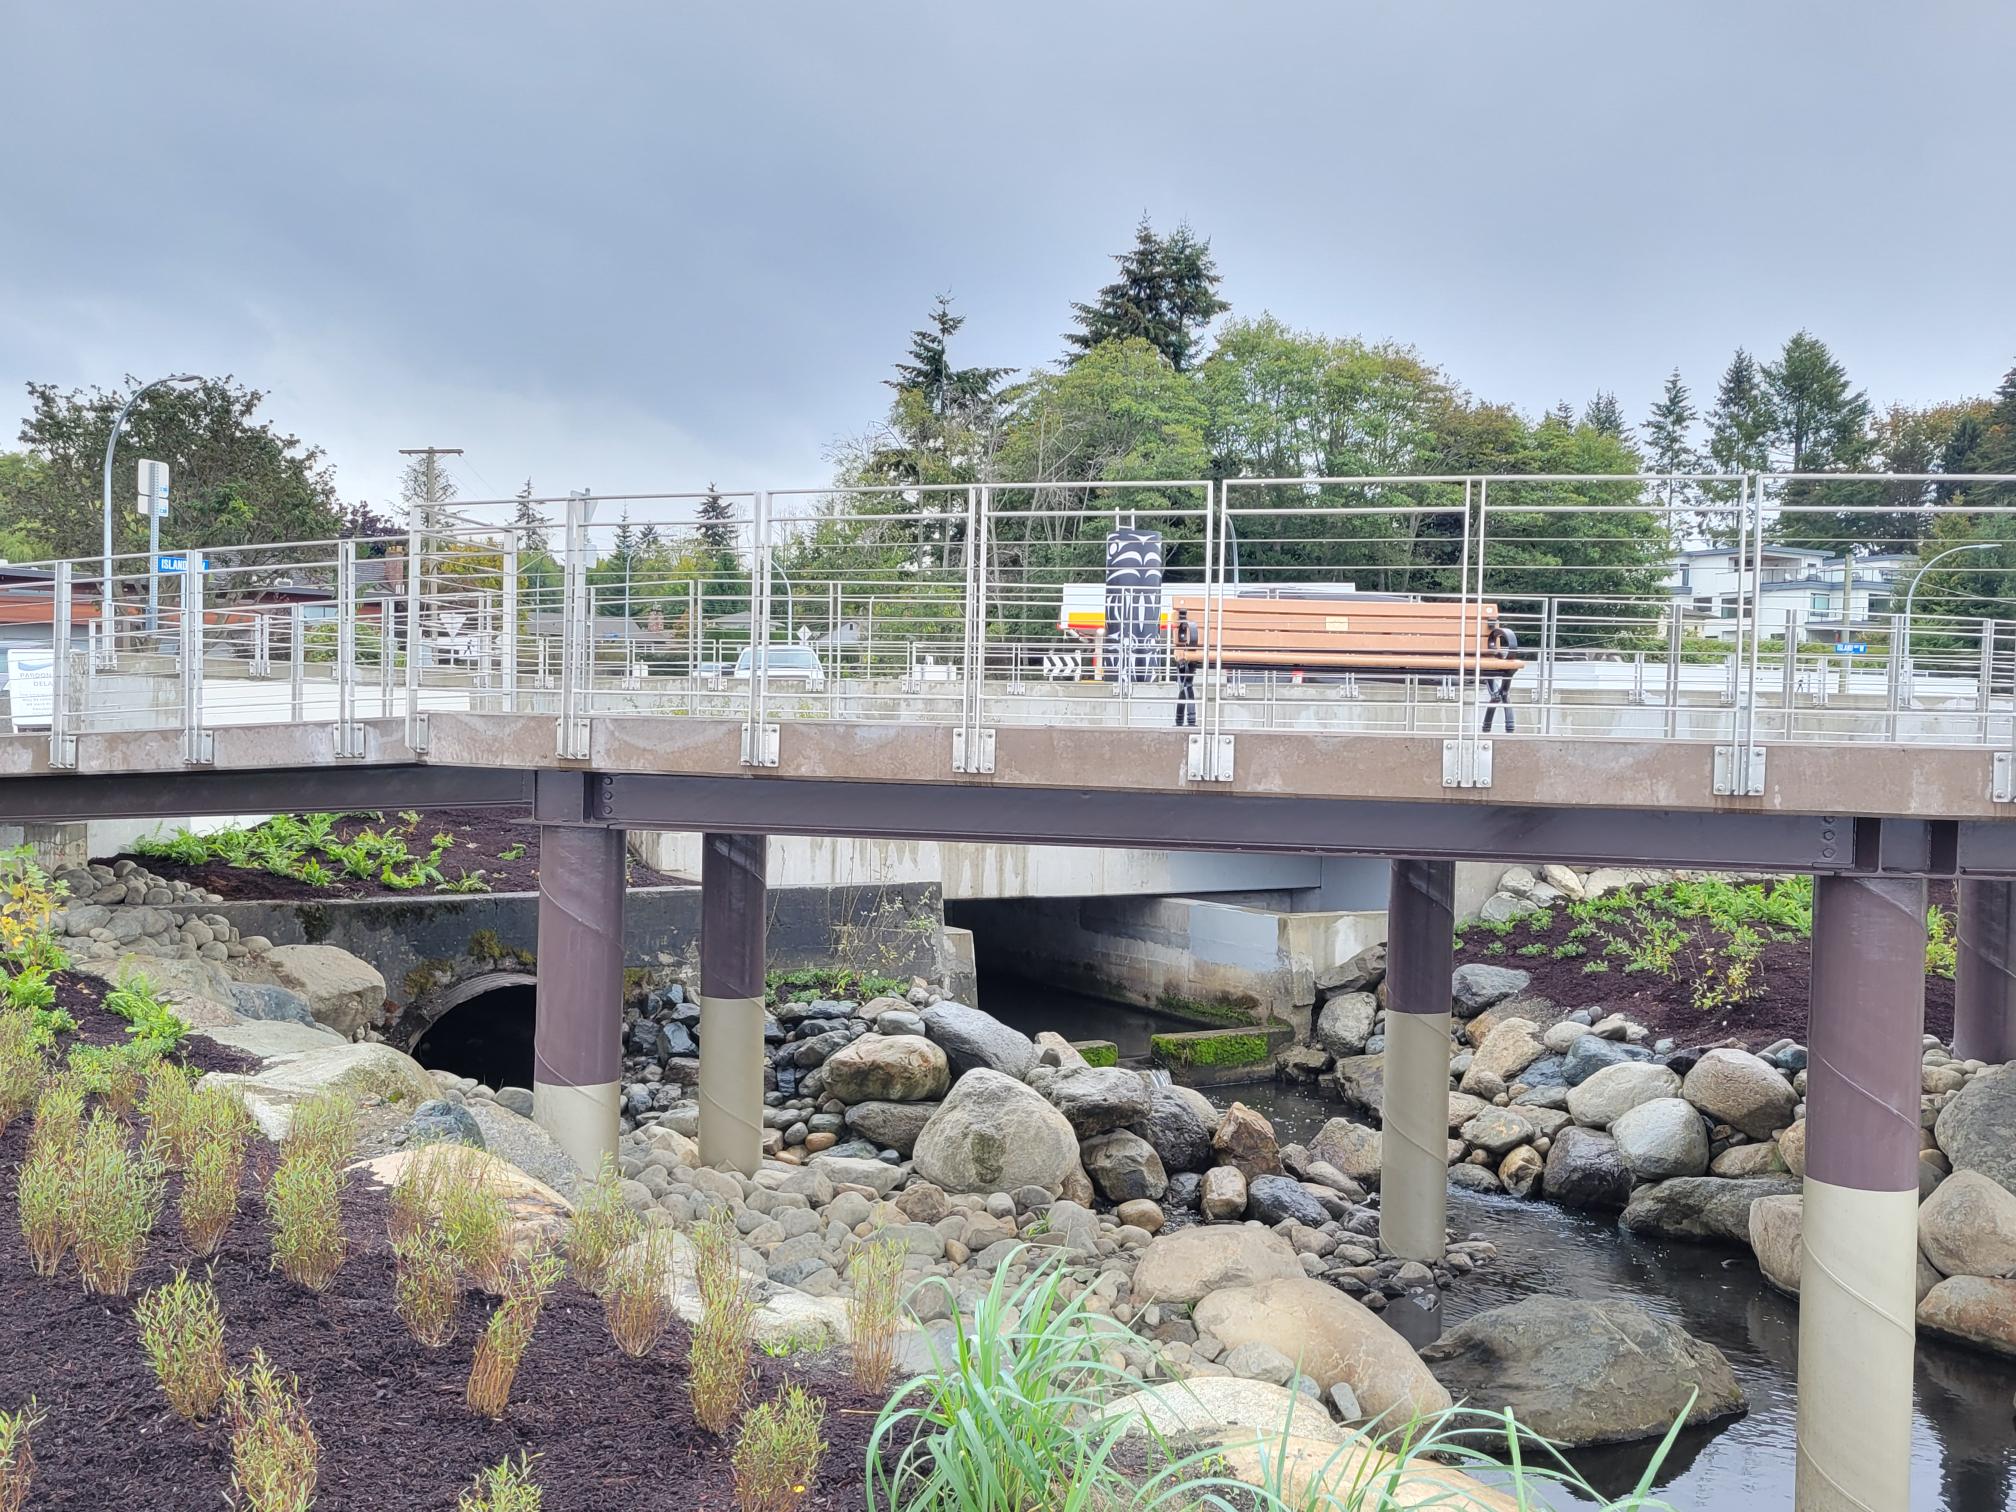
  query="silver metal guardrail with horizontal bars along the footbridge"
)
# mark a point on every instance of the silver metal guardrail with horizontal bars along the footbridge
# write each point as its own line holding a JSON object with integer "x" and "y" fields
{"x": 1705, "y": 608}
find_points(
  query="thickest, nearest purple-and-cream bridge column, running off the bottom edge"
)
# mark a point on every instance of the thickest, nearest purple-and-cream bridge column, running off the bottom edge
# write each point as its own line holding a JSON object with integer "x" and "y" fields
{"x": 1860, "y": 1229}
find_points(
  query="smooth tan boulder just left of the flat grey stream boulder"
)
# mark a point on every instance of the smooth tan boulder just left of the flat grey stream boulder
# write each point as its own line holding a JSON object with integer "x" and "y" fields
{"x": 1332, "y": 1338}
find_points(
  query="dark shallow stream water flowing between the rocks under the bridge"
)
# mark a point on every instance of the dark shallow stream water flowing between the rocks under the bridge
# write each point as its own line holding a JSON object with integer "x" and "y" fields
{"x": 1965, "y": 1434}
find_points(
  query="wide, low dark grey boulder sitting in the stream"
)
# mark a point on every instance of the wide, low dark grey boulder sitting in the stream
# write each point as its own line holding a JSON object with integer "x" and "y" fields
{"x": 1586, "y": 1372}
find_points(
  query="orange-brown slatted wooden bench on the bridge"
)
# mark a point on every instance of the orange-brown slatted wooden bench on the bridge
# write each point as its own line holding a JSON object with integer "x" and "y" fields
{"x": 1376, "y": 636}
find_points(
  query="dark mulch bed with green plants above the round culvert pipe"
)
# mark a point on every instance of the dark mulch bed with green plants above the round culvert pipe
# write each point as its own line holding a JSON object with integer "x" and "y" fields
{"x": 483, "y": 836}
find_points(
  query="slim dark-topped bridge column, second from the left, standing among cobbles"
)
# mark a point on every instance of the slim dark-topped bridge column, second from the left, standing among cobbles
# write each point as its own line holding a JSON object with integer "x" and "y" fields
{"x": 733, "y": 914}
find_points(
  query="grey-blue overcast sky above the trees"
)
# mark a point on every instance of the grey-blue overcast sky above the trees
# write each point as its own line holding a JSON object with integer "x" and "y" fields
{"x": 642, "y": 247}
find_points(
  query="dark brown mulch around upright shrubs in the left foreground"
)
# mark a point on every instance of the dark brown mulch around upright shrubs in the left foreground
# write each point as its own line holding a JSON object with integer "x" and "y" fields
{"x": 394, "y": 1434}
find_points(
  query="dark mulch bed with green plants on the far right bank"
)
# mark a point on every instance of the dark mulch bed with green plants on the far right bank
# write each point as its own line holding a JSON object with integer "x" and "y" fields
{"x": 1664, "y": 1005}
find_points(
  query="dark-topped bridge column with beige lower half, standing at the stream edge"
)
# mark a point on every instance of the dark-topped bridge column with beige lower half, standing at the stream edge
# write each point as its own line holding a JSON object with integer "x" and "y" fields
{"x": 1414, "y": 1164}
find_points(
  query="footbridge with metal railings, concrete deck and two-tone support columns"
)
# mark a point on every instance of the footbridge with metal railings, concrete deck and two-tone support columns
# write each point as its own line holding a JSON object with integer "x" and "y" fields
{"x": 936, "y": 690}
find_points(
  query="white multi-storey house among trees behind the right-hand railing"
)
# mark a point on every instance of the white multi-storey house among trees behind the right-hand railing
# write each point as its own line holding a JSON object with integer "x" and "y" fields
{"x": 1799, "y": 588}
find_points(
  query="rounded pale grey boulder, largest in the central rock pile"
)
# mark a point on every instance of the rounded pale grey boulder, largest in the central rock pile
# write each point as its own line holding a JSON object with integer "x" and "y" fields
{"x": 993, "y": 1134}
